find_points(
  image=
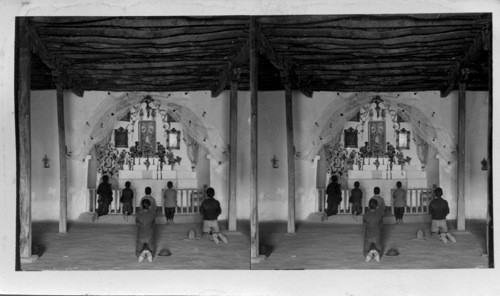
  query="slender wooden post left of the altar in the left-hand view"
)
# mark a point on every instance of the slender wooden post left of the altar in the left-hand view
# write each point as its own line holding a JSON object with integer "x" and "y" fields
{"x": 63, "y": 175}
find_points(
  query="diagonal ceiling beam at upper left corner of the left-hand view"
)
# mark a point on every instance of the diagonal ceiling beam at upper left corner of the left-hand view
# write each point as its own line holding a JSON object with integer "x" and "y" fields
{"x": 57, "y": 66}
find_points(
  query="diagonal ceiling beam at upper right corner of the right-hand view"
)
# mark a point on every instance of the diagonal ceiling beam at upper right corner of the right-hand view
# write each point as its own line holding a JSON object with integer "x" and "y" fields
{"x": 470, "y": 56}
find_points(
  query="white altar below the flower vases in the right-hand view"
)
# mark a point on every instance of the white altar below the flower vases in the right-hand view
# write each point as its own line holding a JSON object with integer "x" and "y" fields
{"x": 370, "y": 176}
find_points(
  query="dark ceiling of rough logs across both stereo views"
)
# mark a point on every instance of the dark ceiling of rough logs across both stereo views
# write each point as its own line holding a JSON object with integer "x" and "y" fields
{"x": 318, "y": 52}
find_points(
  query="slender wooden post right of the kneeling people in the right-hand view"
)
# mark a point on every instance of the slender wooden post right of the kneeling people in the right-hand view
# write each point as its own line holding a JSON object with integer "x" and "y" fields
{"x": 461, "y": 157}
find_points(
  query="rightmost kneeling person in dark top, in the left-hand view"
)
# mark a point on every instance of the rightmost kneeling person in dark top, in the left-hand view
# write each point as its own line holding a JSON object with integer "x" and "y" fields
{"x": 210, "y": 209}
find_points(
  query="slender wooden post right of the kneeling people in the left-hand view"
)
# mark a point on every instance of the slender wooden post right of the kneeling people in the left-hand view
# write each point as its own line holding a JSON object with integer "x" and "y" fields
{"x": 233, "y": 160}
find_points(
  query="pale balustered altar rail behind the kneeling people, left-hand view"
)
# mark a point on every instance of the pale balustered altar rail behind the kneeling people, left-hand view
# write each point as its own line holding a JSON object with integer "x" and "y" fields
{"x": 188, "y": 201}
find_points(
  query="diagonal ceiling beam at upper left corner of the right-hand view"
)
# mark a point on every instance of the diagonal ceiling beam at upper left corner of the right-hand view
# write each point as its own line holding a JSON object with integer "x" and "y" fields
{"x": 286, "y": 72}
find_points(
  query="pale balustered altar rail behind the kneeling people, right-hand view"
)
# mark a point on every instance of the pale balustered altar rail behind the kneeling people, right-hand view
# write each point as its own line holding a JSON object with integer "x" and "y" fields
{"x": 417, "y": 201}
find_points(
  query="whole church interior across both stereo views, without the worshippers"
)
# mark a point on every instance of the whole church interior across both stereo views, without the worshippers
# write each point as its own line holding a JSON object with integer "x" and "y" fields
{"x": 265, "y": 110}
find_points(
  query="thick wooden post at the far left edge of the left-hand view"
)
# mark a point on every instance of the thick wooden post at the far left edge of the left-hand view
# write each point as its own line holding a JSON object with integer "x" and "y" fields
{"x": 24, "y": 156}
